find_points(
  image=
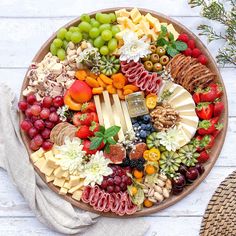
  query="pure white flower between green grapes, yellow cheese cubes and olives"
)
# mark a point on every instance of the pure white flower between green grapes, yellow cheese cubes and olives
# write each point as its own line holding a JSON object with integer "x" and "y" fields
{"x": 133, "y": 48}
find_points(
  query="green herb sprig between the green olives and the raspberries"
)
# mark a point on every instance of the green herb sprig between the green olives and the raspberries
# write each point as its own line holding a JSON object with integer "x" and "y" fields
{"x": 173, "y": 47}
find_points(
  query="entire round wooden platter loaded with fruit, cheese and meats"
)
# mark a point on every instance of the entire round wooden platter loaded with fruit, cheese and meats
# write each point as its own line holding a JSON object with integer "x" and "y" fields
{"x": 123, "y": 112}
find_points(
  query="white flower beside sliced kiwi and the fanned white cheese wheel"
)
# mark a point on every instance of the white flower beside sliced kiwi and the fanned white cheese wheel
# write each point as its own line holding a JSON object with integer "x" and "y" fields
{"x": 170, "y": 138}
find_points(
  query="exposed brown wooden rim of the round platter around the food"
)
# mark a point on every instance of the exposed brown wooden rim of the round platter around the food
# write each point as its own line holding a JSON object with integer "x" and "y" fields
{"x": 215, "y": 150}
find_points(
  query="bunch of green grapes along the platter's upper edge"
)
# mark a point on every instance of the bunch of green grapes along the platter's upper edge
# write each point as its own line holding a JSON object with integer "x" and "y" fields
{"x": 99, "y": 31}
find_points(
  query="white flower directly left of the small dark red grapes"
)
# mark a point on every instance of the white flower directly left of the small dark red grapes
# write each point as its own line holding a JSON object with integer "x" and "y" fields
{"x": 95, "y": 169}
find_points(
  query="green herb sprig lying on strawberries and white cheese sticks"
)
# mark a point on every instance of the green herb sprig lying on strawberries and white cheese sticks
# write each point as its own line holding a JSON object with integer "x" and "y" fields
{"x": 106, "y": 136}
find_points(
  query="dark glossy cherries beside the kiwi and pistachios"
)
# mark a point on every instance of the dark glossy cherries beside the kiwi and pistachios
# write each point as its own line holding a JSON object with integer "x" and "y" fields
{"x": 186, "y": 175}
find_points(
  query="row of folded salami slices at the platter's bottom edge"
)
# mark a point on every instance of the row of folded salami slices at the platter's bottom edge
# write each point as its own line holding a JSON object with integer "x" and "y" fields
{"x": 119, "y": 203}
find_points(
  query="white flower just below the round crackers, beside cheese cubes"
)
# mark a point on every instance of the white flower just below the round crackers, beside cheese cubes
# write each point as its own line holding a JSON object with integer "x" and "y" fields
{"x": 71, "y": 156}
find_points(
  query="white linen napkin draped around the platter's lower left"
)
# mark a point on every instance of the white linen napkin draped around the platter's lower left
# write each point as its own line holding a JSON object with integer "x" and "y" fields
{"x": 49, "y": 207}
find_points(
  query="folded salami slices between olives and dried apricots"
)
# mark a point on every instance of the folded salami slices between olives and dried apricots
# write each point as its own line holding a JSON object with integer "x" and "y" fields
{"x": 137, "y": 74}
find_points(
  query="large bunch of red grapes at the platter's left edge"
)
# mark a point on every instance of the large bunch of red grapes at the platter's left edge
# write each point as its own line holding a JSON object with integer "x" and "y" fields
{"x": 40, "y": 118}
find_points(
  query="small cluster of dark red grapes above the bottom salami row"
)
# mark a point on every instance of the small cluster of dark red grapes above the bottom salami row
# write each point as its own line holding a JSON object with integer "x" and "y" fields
{"x": 117, "y": 181}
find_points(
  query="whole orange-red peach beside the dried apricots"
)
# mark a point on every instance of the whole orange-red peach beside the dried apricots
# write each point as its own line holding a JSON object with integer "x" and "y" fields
{"x": 80, "y": 91}
